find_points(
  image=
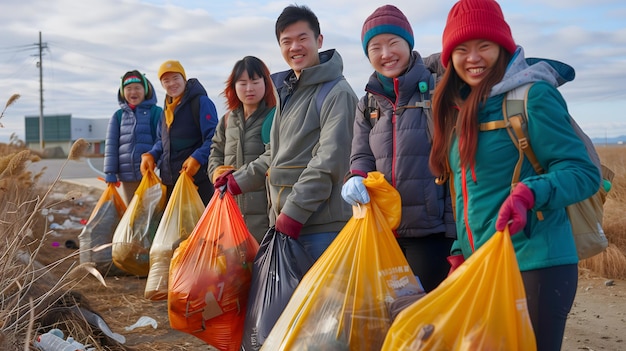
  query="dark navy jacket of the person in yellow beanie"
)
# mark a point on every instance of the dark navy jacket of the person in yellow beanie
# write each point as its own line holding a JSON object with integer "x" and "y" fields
{"x": 184, "y": 138}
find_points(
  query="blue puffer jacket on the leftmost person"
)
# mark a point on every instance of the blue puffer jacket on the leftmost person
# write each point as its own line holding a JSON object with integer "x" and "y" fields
{"x": 129, "y": 137}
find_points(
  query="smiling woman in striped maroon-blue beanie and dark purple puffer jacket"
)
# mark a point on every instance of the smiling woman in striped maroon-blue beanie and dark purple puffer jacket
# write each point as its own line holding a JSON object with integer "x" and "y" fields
{"x": 397, "y": 144}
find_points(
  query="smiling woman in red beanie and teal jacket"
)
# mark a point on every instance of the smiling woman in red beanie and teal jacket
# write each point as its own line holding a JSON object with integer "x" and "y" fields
{"x": 483, "y": 64}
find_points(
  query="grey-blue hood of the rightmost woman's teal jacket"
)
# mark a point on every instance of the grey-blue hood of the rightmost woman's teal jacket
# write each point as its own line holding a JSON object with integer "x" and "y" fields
{"x": 523, "y": 70}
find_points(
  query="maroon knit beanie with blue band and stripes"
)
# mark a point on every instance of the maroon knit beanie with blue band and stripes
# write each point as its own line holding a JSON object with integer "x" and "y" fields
{"x": 387, "y": 19}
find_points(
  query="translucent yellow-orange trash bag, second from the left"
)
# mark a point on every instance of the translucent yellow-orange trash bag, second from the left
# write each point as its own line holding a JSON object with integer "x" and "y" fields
{"x": 134, "y": 234}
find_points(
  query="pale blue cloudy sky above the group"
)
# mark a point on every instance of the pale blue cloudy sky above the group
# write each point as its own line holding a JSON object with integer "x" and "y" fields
{"x": 90, "y": 44}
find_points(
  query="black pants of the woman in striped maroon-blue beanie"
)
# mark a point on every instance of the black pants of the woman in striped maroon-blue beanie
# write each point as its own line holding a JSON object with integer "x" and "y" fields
{"x": 427, "y": 257}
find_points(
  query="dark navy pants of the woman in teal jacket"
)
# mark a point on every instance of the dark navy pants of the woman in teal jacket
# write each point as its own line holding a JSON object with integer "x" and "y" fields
{"x": 550, "y": 293}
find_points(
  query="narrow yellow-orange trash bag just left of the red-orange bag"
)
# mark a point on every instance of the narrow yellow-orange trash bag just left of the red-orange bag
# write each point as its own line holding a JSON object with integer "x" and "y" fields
{"x": 180, "y": 217}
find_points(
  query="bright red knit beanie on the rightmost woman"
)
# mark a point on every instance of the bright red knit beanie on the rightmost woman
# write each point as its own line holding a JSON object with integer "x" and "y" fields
{"x": 475, "y": 19}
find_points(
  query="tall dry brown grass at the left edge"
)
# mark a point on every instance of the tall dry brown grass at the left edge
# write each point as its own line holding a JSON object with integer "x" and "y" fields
{"x": 33, "y": 298}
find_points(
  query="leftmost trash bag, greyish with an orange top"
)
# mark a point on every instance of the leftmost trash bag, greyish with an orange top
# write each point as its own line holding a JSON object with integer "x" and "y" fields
{"x": 99, "y": 231}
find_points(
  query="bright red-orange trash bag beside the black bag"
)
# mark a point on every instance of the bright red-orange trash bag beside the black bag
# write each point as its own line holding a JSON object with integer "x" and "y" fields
{"x": 210, "y": 276}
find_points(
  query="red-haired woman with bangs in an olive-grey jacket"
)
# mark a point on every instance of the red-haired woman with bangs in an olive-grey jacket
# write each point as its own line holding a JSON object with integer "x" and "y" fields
{"x": 241, "y": 135}
